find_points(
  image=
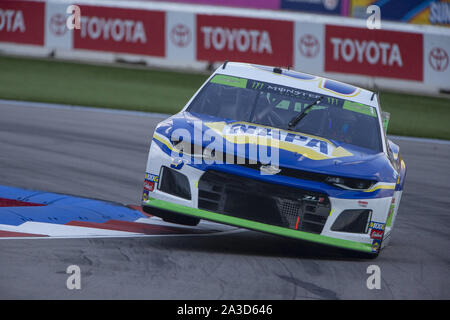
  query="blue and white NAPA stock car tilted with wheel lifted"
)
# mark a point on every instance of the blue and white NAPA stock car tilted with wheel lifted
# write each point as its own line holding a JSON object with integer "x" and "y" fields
{"x": 281, "y": 152}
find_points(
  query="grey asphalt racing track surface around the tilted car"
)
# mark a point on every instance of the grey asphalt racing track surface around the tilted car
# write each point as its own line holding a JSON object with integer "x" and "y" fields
{"x": 103, "y": 155}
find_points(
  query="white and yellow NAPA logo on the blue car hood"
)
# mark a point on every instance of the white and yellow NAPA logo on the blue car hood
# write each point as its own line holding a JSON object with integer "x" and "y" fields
{"x": 308, "y": 146}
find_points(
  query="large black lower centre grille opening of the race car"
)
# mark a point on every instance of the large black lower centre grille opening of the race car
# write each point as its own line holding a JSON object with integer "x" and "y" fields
{"x": 264, "y": 202}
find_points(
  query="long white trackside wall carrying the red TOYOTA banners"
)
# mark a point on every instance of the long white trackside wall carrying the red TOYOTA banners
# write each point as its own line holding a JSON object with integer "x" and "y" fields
{"x": 399, "y": 57}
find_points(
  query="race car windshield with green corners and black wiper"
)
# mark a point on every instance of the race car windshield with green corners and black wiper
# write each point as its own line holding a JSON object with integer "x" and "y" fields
{"x": 274, "y": 105}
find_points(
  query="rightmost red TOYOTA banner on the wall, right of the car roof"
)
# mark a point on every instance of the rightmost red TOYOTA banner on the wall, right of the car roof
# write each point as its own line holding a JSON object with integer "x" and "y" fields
{"x": 375, "y": 53}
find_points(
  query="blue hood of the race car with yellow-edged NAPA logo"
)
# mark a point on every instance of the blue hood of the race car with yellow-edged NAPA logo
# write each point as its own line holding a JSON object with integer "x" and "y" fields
{"x": 289, "y": 149}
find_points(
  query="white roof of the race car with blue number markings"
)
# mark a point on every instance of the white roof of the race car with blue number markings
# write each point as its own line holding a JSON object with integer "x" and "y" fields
{"x": 300, "y": 80}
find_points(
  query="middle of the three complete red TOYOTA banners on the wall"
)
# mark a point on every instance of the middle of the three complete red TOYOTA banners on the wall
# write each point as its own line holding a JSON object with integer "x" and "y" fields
{"x": 262, "y": 41}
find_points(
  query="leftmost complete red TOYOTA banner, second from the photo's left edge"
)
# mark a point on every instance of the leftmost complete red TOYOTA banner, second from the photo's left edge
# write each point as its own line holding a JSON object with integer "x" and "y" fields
{"x": 116, "y": 29}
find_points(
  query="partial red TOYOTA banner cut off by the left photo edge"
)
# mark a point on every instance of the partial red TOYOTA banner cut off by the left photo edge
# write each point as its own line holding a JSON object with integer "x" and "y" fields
{"x": 22, "y": 22}
